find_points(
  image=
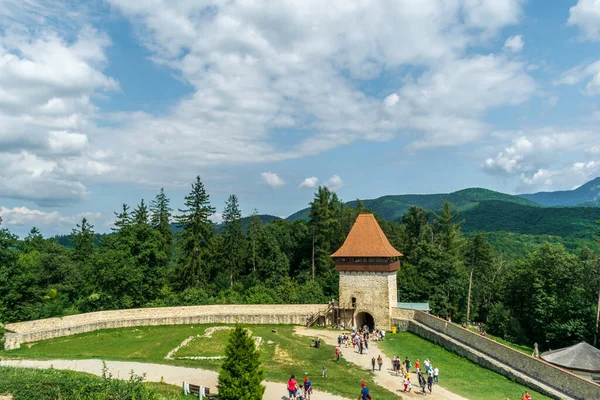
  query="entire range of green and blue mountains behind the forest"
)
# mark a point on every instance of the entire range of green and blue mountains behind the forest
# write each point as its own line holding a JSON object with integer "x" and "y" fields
{"x": 568, "y": 217}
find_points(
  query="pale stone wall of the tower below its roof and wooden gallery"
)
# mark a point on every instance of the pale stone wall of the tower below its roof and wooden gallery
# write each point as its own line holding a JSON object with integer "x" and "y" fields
{"x": 372, "y": 293}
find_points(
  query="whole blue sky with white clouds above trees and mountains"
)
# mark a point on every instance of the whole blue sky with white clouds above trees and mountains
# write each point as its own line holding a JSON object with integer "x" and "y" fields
{"x": 104, "y": 102}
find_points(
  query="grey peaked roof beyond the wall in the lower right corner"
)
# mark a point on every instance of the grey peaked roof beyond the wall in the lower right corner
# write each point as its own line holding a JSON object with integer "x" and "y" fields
{"x": 581, "y": 359}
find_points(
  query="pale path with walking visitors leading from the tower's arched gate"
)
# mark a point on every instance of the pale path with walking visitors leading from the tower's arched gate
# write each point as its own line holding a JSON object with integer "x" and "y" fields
{"x": 384, "y": 378}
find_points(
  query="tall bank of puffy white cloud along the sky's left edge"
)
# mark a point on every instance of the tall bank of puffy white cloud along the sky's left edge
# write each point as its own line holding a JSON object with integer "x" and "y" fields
{"x": 47, "y": 83}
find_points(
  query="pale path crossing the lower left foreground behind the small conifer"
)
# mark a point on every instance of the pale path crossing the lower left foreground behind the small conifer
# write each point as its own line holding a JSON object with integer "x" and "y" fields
{"x": 172, "y": 374}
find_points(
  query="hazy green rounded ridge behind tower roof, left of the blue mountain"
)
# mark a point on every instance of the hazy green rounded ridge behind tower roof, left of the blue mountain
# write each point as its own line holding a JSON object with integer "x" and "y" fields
{"x": 392, "y": 207}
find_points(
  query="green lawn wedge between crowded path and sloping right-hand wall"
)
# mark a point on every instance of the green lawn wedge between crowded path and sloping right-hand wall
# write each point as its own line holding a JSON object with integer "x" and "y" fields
{"x": 457, "y": 374}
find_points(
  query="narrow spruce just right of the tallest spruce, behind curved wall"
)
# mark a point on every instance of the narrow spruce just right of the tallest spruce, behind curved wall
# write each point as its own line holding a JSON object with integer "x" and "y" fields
{"x": 234, "y": 239}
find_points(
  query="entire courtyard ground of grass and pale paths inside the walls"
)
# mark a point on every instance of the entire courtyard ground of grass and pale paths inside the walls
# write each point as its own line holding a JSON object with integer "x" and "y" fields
{"x": 284, "y": 352}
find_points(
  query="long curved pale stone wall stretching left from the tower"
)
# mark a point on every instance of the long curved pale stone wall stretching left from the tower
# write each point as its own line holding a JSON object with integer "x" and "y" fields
{"x": 33, "y": 331}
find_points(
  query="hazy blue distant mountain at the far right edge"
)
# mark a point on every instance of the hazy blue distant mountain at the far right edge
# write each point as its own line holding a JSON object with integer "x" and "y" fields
{"x": 585, "y": 195}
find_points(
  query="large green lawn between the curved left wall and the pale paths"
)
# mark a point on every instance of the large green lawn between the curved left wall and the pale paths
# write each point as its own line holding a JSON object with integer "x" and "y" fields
{"x": 283, "y": 353}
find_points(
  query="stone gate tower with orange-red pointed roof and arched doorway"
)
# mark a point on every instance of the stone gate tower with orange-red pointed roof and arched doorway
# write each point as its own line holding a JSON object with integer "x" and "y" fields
{"x": 367, "y": 264}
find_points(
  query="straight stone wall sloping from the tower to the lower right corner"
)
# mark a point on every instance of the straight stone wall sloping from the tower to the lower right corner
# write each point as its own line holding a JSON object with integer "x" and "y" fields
{"x": 539, "y": 370}
